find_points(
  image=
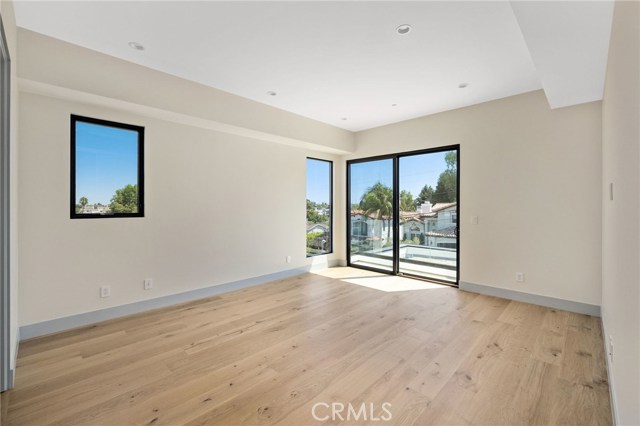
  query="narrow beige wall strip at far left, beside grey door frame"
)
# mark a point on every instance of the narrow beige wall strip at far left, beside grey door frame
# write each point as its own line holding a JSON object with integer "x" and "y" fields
{"x": 10, "y": 30}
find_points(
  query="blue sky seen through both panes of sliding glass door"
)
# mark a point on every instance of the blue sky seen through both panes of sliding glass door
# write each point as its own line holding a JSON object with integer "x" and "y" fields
{"x": 415, "y": 172}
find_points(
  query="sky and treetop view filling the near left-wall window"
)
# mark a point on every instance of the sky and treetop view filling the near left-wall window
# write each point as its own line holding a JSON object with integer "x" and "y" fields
{"x": 106, "y": 169}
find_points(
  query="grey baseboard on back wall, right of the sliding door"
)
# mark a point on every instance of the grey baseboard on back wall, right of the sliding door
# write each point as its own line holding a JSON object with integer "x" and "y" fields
{"x": 535, "y": 299}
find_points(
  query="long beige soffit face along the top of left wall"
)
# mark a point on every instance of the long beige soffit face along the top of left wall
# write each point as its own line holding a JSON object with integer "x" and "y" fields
{"x": 95, "y": 75}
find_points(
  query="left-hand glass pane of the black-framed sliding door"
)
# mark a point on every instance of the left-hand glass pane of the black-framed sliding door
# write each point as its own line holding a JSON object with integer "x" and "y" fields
{"x": 371, "y": 198}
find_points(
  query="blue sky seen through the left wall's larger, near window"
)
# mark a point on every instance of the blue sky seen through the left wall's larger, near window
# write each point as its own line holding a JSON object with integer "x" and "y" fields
{"x": 106, "y": 160}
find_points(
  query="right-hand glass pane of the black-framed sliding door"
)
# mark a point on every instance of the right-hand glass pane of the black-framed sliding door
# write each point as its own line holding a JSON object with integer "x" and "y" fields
{"x": 429, "y": 215}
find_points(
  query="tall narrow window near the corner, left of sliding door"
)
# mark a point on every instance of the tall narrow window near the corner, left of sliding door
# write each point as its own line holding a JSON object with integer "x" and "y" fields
{"x": 319, "y": 182}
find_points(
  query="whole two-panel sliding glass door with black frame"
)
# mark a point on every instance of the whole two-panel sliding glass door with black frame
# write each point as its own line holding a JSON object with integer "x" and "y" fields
{"x": 404, "y": 214}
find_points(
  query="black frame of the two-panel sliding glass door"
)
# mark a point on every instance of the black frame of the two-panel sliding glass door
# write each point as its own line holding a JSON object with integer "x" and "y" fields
{"x": 396, "y": 211}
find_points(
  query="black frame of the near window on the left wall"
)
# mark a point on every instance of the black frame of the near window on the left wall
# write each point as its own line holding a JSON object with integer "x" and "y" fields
{"x": 100, "y": 122}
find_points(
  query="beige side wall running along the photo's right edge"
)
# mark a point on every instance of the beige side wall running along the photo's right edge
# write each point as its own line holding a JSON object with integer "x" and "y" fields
{"x": 621, "y": 230}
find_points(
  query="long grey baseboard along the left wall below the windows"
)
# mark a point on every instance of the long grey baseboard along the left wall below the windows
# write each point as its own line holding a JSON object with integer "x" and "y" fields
{"x": 74, "y": 321}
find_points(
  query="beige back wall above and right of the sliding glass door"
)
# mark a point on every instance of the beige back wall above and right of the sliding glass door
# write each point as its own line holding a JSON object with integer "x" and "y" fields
{"x": 532, "y": 176}
